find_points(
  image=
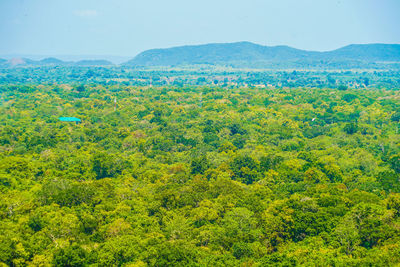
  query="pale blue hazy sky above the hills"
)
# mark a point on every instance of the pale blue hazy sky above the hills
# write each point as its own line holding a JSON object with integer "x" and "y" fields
{"x": 127, "y": 27}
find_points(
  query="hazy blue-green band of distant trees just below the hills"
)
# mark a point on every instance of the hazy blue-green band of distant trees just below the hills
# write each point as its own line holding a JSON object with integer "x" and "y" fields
{"x": 203, "y": 76}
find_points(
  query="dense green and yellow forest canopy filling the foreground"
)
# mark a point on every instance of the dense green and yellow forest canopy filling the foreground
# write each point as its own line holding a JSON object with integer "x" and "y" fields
{"x": 198, "y": 174}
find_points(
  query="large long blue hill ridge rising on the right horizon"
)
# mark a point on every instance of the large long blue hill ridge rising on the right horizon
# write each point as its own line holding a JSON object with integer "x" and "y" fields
{"x": 246, "y": 54}
